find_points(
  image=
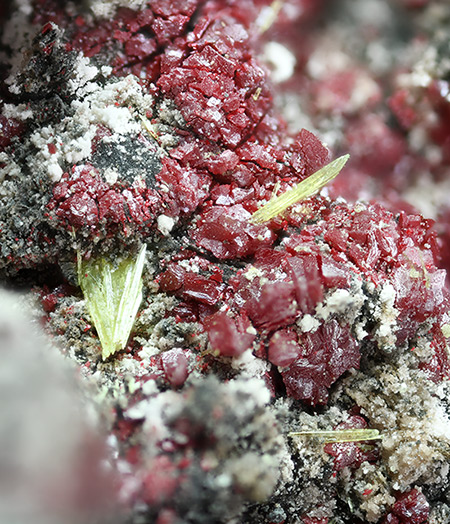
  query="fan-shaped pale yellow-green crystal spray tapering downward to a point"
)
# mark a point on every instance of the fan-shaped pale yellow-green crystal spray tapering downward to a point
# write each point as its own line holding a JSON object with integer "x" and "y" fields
{"x": 113, "y": 294}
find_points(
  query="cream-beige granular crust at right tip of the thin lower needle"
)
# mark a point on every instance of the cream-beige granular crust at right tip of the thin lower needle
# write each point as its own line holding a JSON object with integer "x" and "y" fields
{"x": 399, "y": 402}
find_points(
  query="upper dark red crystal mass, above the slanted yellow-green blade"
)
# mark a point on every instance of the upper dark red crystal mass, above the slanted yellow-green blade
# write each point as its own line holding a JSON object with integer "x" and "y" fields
{"x": 233, "y": 149}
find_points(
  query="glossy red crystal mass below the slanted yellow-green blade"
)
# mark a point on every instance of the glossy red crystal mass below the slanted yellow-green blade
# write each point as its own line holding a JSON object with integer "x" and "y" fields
{"x": 339, "y": 245}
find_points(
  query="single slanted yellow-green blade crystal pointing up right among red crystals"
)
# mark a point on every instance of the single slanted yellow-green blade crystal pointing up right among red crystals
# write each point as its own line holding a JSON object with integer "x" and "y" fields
{"x": 304, "y": 189}
